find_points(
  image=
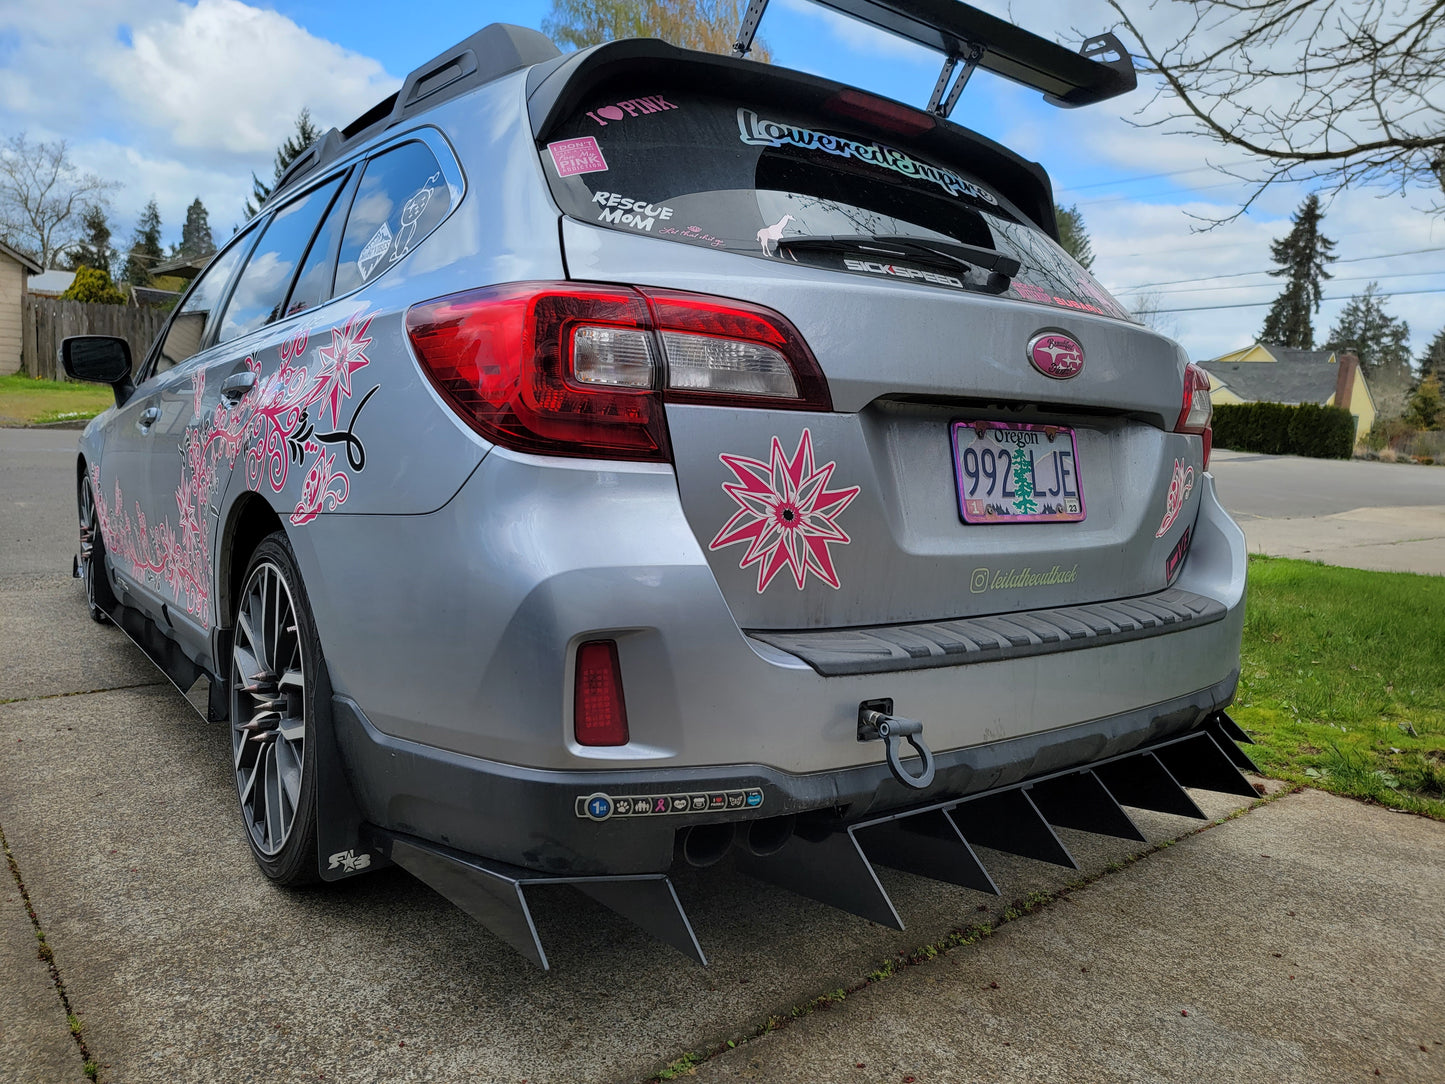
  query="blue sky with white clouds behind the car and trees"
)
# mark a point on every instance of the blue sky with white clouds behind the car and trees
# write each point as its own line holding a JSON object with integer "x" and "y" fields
{"x": 183, "y": 99}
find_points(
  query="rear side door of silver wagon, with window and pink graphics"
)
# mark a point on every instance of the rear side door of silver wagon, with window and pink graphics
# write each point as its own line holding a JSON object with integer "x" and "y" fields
{"x": 206, "y": 408}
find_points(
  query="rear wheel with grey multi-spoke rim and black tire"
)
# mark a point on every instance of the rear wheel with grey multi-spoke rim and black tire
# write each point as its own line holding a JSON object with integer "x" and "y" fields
{"x": 280, "y": 696}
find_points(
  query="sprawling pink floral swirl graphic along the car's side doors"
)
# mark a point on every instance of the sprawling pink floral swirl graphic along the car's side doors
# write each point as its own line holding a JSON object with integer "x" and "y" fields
{"x": 271, "y": 426}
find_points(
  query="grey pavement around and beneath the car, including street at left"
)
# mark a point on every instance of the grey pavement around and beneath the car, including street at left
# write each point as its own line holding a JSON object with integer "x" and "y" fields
{"x": 181, "y": 963}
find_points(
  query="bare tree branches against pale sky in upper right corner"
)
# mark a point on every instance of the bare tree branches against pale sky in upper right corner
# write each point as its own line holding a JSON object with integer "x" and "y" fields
{"x": 1346, "y": 93}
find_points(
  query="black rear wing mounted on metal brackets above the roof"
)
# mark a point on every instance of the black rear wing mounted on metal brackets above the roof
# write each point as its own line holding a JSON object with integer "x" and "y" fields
{"x": 965, "y": 35}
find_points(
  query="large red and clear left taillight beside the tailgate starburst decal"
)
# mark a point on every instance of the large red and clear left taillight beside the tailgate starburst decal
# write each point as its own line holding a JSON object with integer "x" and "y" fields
{"x": 573, "y": 369}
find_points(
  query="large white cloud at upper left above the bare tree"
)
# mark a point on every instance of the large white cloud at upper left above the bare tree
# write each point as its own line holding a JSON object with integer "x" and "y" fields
{"x": 174, "y": 100}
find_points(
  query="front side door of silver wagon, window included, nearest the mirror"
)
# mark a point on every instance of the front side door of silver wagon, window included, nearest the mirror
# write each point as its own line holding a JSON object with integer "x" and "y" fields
{"x": 152, "y": 541}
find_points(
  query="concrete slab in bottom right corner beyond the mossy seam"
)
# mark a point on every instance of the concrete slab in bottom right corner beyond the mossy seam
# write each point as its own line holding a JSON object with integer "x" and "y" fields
{"x": 1304, "y": 942}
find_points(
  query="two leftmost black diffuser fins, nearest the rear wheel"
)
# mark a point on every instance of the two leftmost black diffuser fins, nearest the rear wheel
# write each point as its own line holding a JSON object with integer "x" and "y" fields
{"x": 496, "y": 895}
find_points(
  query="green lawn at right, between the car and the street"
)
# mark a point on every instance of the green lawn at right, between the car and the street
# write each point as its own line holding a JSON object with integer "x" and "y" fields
{"x": 1343, "y": 681}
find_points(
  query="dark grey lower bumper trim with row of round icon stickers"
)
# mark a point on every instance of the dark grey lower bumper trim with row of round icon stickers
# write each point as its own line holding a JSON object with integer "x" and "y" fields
{"x": 548, "y": 820}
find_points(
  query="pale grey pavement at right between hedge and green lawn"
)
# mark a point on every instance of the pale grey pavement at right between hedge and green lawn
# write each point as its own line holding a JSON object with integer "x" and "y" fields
{"x": 1385, "y": 517}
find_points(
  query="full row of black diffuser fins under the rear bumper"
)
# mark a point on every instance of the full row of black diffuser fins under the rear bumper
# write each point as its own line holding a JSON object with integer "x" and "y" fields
{"x": 834, "y": 862}
